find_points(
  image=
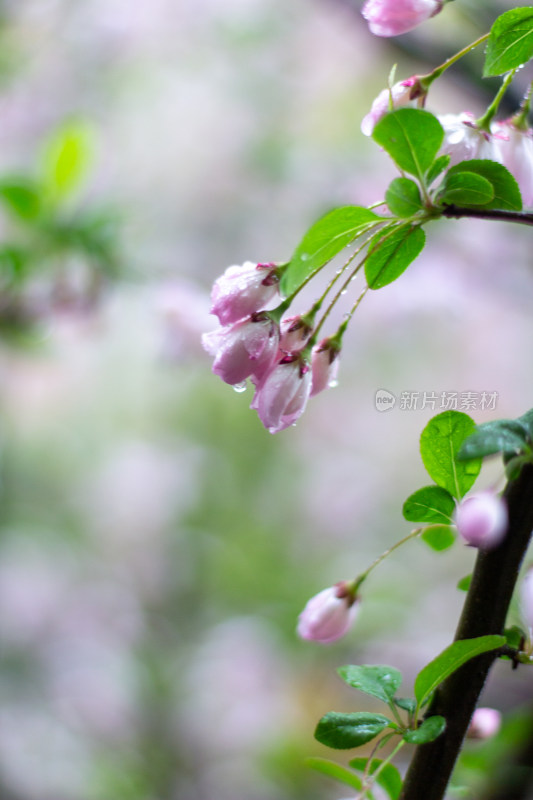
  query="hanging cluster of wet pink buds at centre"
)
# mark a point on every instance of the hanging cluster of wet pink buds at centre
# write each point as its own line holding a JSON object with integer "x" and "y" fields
{"x": 278, "y": 356}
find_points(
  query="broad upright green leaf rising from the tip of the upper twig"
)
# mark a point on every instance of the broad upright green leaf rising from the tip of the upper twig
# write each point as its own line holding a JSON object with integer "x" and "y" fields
{"x": 411, "y": 137}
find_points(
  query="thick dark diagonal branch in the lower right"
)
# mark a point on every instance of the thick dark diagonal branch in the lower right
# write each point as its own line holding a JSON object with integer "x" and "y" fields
{"x": 484, "y": 612}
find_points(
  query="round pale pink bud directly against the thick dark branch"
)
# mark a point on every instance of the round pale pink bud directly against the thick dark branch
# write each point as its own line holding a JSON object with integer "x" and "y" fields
{"x": 482, "y": 520}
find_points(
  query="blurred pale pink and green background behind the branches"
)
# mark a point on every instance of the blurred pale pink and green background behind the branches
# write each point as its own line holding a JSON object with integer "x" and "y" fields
{"x": 156, "y": 543}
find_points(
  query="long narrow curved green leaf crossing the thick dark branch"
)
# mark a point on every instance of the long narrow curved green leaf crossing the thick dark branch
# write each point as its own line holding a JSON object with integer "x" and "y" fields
{"x": 450, "y": 660}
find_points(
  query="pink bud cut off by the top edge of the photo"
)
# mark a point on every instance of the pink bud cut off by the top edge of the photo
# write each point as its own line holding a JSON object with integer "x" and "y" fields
{"x": 393, "y": 17}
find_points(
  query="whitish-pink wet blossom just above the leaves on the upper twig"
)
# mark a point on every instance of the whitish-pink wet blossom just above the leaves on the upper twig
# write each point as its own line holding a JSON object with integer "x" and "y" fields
{"x": 463, "y": 140}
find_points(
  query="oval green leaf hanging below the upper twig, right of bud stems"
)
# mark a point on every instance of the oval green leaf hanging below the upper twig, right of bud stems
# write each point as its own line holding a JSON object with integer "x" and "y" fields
{"x": 392, "y": 255}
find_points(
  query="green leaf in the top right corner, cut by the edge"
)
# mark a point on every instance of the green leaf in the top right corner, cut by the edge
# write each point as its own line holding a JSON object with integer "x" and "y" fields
{"x": 510, "y": 43}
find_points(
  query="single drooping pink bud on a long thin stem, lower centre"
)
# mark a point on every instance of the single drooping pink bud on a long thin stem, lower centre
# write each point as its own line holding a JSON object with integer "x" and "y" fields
{"x": 328, "y": 615}
